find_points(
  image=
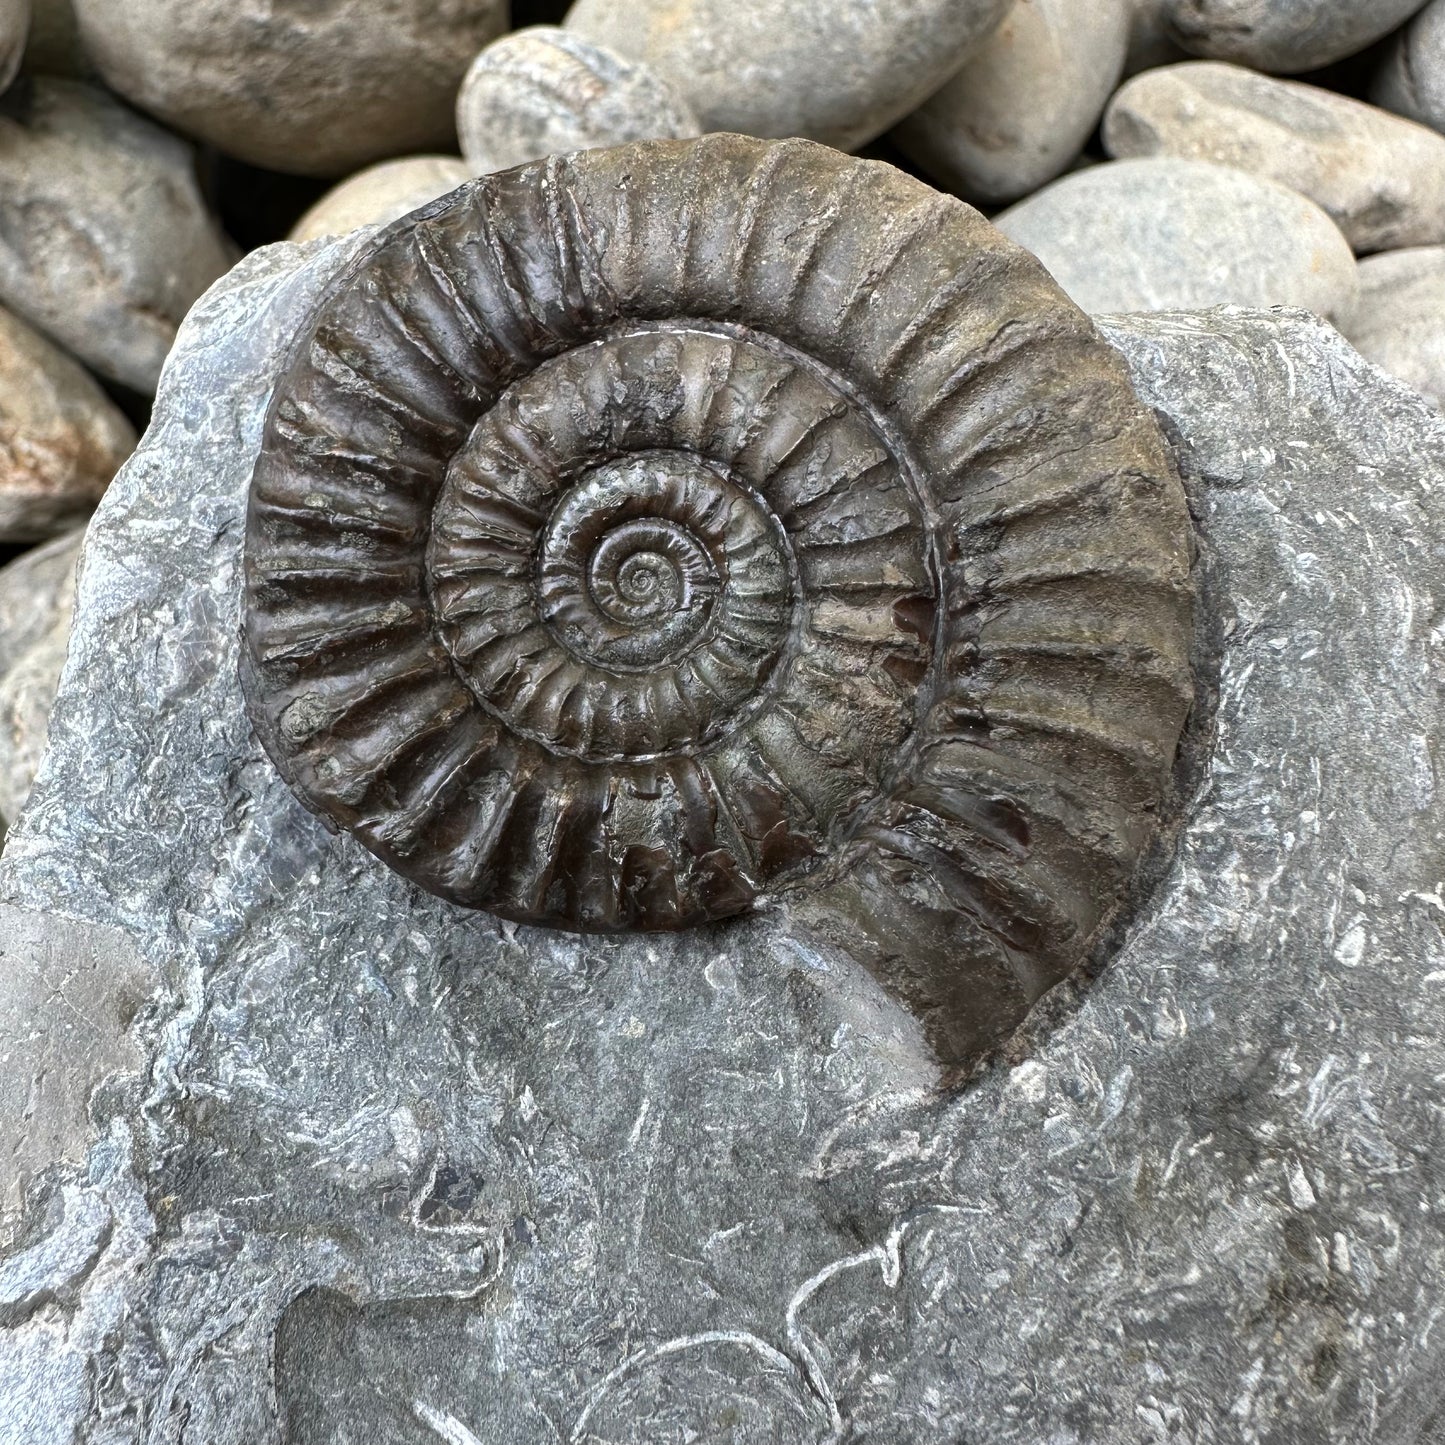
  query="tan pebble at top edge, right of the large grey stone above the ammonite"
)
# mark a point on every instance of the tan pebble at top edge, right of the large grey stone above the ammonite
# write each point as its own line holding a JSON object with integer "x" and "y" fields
{"x": 1025, "y": 103}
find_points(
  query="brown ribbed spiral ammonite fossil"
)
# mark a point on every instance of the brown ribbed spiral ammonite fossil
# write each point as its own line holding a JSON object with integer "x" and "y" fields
{"x": 647, "y": 532}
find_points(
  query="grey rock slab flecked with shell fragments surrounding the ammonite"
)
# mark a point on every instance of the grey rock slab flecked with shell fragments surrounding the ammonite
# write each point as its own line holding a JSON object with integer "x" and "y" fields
{"x": 397, "y": 1173}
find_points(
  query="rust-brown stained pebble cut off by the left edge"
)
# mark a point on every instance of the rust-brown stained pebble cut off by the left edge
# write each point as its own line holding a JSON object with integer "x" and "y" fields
{"x": 61, "y": 439}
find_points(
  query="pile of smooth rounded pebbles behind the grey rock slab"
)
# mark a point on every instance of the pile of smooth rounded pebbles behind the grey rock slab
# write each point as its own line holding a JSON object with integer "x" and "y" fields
{"x": 1154, "y": 154}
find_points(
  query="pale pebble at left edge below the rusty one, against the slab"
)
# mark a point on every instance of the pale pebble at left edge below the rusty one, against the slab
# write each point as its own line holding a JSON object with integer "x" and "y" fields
{"x": 37, "y": 603}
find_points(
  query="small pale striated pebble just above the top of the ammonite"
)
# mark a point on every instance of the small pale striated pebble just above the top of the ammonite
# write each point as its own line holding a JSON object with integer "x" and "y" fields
{"x": 544, "y": 92}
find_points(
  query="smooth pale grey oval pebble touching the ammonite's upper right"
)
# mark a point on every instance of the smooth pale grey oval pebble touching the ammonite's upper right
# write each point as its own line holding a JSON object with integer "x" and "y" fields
{"x": 1168, "y": 235}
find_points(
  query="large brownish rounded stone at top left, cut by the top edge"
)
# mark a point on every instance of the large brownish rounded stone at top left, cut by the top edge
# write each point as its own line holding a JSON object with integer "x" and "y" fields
{"x": 311, "y": 89}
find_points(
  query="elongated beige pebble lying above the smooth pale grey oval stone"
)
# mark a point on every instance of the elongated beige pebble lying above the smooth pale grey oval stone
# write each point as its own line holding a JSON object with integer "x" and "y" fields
{"x": 1381, "y": 178}
